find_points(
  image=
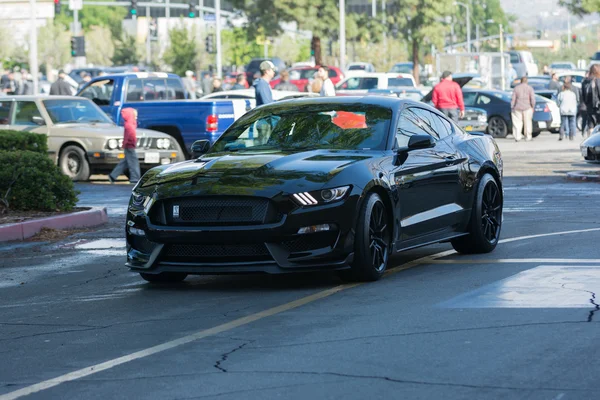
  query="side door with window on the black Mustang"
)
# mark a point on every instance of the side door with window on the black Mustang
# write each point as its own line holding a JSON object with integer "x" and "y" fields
{"x": 426, "y": 179}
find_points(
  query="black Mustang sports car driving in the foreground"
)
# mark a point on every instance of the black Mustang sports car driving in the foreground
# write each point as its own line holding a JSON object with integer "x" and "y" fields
{"x": 335, "y": 183}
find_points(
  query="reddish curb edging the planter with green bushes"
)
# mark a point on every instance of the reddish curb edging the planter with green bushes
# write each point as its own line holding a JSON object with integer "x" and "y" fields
{"x": 26, "y": 229}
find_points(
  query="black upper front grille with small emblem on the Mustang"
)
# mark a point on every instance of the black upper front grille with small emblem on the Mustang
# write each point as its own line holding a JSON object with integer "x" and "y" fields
{"x": 220, "y": 211}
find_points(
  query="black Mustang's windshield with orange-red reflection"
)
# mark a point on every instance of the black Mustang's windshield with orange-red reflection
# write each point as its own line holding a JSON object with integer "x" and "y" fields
{"x": 333, "y": 126}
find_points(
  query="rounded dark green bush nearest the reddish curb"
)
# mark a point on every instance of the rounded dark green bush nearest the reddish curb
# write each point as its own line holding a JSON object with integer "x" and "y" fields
{"x": 30, "y": 181}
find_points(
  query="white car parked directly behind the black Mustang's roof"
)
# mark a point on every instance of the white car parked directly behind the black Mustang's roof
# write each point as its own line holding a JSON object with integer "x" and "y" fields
{"x": 379, "y": 80}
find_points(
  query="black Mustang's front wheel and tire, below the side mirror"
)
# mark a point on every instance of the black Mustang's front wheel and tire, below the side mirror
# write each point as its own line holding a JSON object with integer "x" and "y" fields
{"x": 372, "y": 243}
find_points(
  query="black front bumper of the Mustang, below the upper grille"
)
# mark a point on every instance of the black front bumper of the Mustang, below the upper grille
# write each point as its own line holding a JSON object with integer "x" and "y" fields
{"x": 269, "y": 248}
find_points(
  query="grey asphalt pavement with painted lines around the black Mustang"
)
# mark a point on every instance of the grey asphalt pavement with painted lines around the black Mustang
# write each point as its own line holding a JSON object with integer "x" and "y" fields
{"x": 519, "y": 323}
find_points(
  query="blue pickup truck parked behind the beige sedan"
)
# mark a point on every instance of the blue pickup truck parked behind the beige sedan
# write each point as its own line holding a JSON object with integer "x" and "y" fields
{"x": 160, "y": 100}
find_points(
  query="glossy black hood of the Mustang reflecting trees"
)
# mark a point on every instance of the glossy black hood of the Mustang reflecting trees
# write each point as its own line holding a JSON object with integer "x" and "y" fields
{"x": 265, "y": 173}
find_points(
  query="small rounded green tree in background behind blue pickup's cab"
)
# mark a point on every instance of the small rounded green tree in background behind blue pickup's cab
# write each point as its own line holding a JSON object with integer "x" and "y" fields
{"x": 182, "y": 53}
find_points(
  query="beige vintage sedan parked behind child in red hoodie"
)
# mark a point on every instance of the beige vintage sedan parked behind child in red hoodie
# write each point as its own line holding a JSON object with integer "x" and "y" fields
{"x": 82, "y": 140}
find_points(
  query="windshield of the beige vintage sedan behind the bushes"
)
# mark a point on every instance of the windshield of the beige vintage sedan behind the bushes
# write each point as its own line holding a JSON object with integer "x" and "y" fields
{"x": 76, "y": 110}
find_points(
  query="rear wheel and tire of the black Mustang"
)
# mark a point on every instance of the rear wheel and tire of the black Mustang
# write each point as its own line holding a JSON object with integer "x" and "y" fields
{"x": 485, "y": 223}
